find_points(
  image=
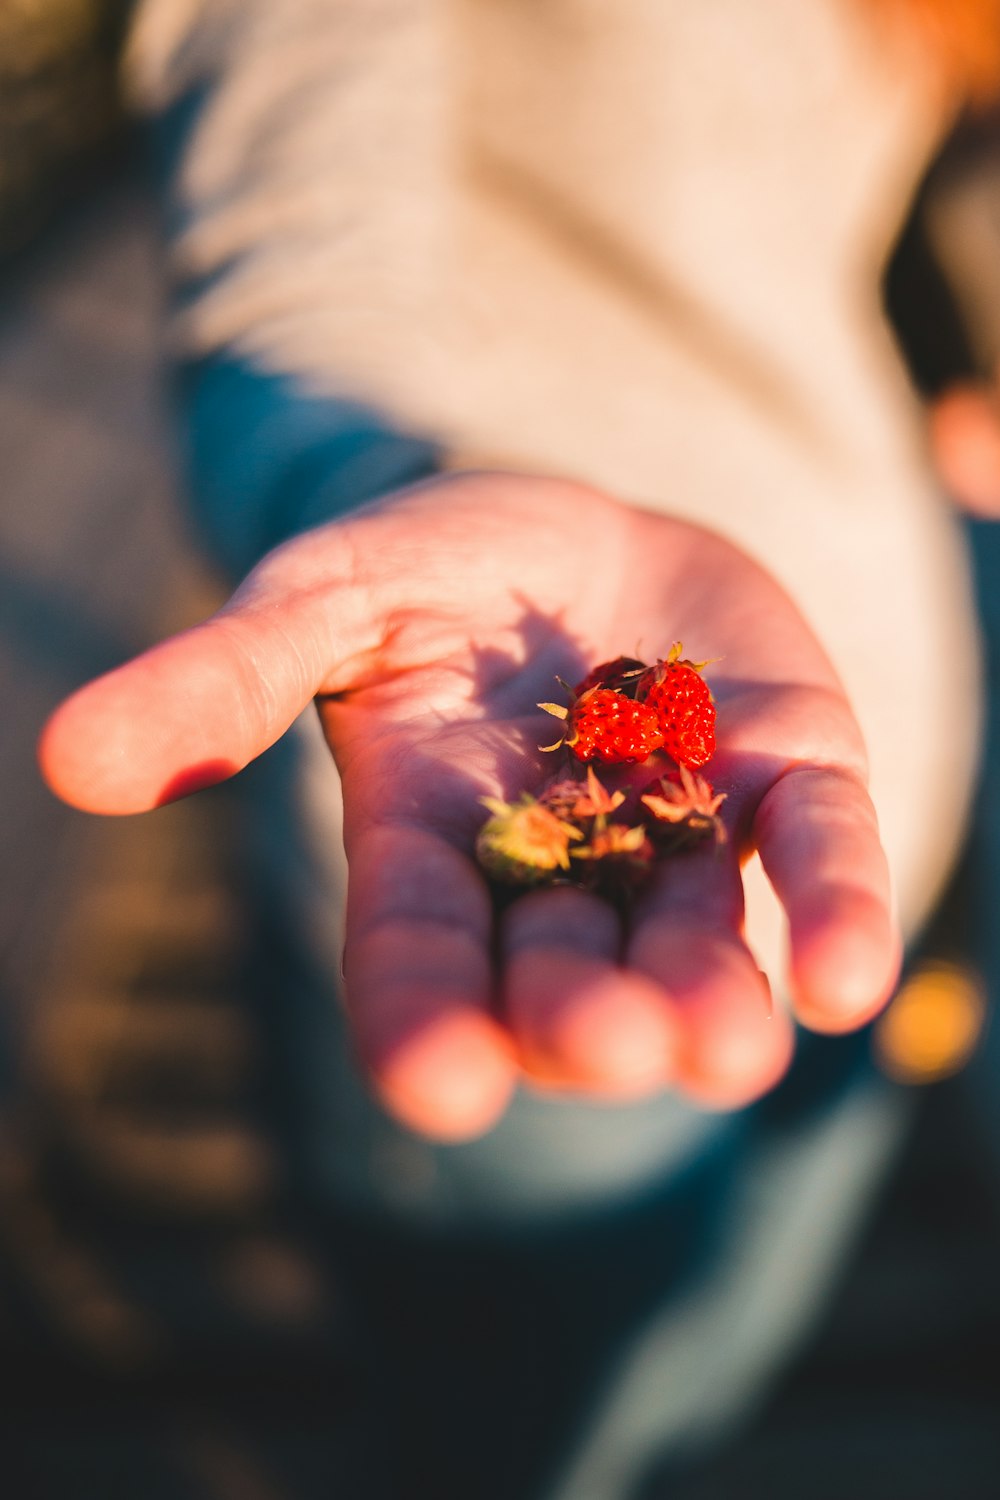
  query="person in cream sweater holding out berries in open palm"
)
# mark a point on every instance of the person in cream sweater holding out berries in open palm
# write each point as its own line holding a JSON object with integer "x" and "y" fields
{"x": 510, "y": 338}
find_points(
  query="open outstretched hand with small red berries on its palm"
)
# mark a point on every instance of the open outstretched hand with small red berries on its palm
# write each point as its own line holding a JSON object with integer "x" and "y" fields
{"x": 428, "y": 628}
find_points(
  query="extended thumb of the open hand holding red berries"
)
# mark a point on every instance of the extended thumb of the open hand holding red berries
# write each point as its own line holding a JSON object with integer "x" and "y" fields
{"x": 202, "y": 706}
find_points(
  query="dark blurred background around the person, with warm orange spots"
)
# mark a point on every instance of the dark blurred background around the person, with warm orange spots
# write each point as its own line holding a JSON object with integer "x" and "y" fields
{"x": 170, "y": 1318}
